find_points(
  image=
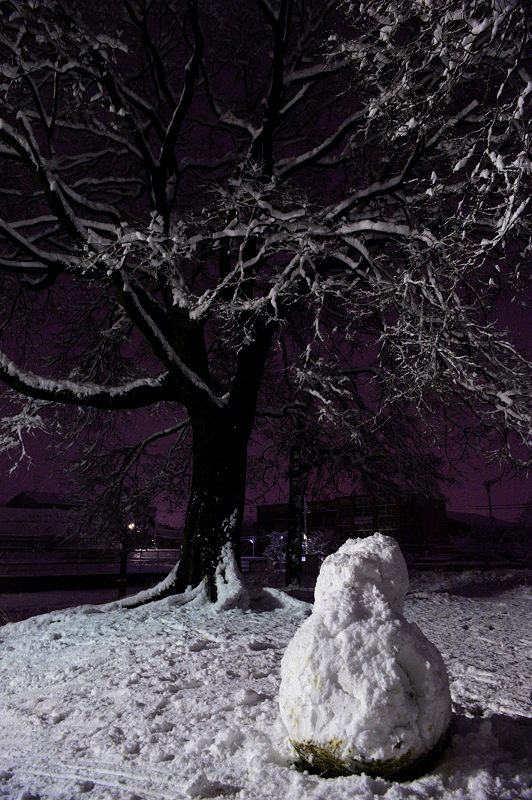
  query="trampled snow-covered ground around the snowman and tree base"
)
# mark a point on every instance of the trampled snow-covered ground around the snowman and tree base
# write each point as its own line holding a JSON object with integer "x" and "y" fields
{"x": 167, "y": 702}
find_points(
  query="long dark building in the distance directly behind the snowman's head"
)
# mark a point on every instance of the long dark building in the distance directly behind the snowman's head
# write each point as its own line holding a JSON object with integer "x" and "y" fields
{"x": 414, "y": 524}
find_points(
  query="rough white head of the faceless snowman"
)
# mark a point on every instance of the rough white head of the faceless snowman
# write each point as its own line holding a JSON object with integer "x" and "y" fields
{"x": 360, "y": 568}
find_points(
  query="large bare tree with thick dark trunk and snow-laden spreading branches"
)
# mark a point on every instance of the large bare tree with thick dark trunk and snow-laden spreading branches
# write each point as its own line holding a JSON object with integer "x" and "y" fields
{"x": 183, "y": 182}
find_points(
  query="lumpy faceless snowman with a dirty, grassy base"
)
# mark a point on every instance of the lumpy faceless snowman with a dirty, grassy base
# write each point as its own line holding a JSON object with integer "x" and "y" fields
{"x": 362, "y": 689}
